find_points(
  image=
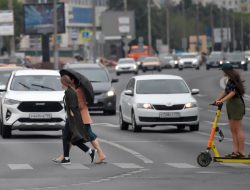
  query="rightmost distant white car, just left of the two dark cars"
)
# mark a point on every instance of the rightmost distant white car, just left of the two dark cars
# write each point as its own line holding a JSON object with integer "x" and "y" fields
{"x": 189, "y": 60}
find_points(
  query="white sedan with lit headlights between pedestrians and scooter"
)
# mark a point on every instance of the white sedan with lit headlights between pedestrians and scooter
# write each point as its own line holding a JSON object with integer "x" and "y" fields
{"x": 151, "y": 100}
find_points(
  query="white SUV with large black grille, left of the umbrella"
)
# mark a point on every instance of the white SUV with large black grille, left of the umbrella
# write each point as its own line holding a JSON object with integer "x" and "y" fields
{"x": 32, "y": 100}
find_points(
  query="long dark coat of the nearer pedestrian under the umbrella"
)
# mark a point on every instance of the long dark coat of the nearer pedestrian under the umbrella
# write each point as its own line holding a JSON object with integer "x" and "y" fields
{"x": 76, "y": 125}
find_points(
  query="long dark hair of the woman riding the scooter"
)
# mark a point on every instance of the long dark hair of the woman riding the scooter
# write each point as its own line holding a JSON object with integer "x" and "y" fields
{"x": 235, "y": 77}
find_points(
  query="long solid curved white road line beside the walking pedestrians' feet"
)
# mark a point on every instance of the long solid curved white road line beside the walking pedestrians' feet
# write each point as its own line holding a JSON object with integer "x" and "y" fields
{"x": 134, "y": 153}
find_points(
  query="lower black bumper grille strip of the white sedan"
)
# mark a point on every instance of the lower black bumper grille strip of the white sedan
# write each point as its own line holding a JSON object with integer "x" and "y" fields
{"x": 157, "y": 119}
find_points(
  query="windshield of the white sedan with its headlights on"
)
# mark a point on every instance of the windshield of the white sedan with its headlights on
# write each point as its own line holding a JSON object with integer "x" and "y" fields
{"x": 162, "y": 86}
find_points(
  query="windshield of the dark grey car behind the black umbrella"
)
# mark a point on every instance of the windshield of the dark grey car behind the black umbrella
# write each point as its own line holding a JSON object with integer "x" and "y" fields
{"x": 94, "y": 74}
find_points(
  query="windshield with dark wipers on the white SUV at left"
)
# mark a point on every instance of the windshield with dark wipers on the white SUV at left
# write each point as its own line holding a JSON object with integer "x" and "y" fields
{"x": 36, "y": 83}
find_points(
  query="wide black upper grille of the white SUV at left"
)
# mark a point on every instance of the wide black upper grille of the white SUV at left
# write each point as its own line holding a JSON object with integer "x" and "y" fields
{"x": 40, "y": 107}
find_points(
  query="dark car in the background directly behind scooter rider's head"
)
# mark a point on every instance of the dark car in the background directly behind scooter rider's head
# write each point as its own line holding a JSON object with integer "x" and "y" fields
{"x": 237, "y": 59}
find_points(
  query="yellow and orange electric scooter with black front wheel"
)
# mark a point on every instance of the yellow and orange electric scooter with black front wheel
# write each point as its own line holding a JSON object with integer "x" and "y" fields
{"x": 205, "y": 158}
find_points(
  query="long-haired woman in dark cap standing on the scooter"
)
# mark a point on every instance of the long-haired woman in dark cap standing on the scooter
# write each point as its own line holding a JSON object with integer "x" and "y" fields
{"x": 235, "y": 106}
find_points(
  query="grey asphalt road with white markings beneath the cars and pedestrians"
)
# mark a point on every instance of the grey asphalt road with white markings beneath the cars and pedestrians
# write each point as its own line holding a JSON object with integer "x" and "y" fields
{"x": 157, "y": 158}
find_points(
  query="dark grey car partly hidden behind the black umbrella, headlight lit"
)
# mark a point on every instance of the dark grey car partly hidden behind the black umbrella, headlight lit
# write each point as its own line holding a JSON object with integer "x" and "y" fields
{"x": 105, "y": 97}
